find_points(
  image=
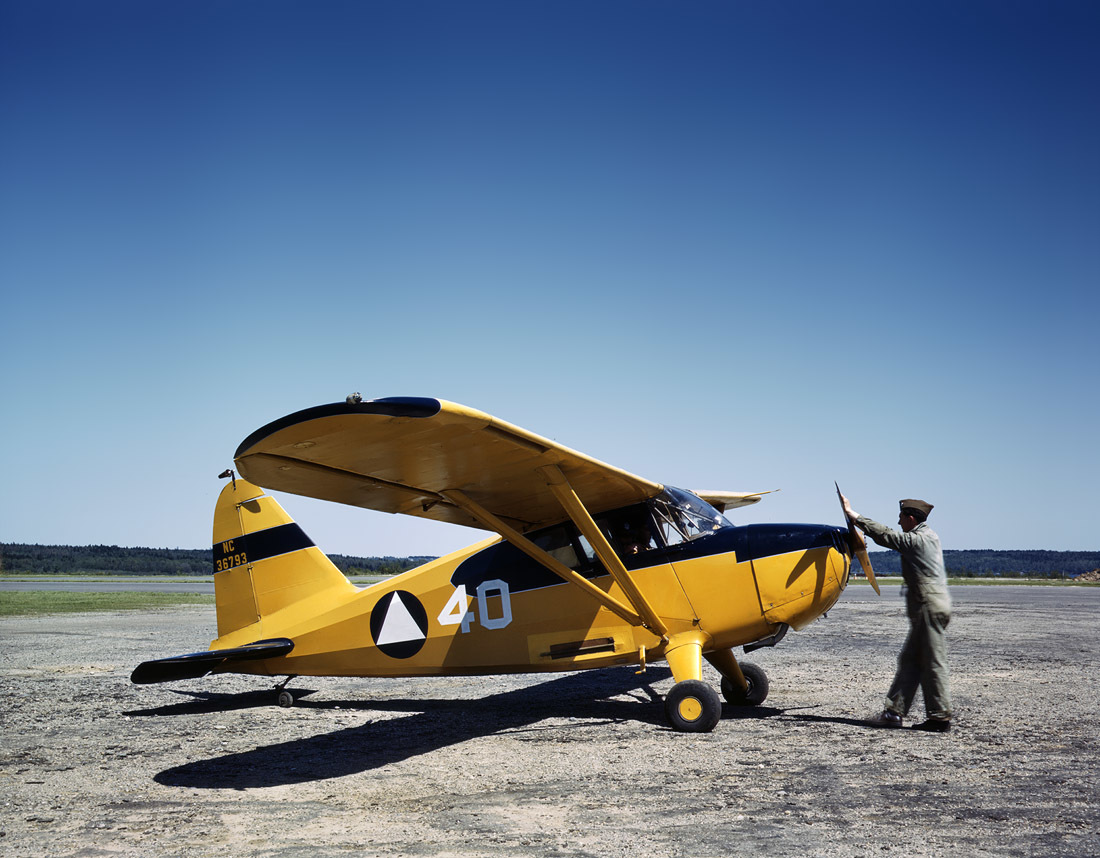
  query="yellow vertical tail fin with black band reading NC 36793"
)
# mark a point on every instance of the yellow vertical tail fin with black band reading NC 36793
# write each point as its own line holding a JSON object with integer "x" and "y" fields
{"x": 263, "y": 562}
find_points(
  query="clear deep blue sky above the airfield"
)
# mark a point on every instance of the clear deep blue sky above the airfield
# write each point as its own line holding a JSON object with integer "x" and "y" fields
{"x": 739, "y": 246}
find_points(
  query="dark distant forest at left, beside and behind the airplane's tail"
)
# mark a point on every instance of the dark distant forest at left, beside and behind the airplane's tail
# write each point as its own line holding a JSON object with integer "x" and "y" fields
{"x": 112, "y": 560}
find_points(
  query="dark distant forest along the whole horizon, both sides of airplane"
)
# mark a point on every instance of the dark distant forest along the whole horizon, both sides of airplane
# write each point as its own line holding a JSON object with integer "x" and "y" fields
{"x": 104, "y": 560}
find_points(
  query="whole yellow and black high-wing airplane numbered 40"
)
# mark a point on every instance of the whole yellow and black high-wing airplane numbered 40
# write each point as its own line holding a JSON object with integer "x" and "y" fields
{"x": 590, "y": 566}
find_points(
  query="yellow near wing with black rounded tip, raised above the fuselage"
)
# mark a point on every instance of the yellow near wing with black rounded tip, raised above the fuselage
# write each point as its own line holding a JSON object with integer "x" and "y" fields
{"x": 401, "y": 455}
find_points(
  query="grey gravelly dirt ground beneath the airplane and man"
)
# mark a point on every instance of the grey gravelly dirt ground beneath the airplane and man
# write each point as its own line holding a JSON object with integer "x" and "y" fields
{"x": 560, "y": 765}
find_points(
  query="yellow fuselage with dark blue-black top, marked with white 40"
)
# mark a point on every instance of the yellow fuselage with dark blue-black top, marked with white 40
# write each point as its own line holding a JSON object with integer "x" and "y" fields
{"x": 490, "y": 609}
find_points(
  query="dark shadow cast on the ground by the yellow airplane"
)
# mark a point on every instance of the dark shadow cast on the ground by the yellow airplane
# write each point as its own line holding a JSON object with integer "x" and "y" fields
{"x": 431, "y": 725}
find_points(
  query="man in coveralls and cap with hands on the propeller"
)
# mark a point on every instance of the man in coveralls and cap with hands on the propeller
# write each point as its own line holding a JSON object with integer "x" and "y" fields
{"x": 923, "y": 659}
